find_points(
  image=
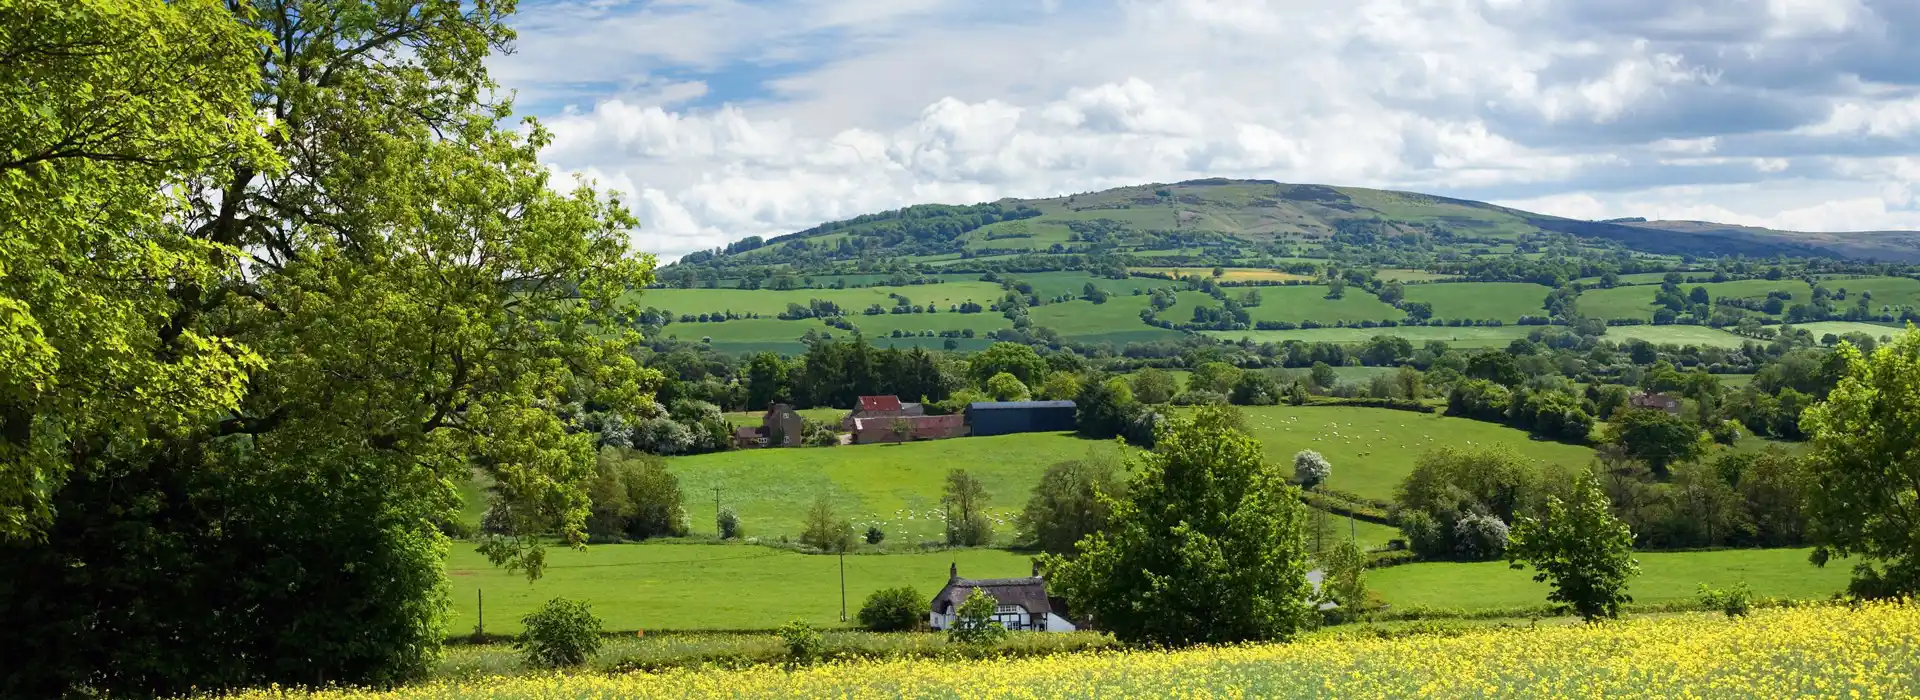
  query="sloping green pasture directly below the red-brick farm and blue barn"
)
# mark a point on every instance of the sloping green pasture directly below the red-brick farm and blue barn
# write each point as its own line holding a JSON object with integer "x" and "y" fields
{"x": 896, "y": 488}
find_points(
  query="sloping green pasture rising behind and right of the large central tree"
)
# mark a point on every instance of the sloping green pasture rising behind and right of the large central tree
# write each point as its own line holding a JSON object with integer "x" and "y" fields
{"x": 1372, "y": 450}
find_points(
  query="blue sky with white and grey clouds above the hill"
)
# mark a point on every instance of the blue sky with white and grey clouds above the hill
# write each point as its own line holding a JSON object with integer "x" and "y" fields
{"x": 719, "y": 120}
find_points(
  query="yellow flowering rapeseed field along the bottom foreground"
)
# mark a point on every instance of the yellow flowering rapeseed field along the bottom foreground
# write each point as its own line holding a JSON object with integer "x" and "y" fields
{"x": 1802, "y": 653}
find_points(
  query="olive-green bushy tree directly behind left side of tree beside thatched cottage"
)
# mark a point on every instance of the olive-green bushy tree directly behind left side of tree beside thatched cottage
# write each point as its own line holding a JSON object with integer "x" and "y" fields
{"x": 1070, "y": 503}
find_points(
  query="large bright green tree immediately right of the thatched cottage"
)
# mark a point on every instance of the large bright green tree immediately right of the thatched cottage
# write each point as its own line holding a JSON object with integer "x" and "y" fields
{"x": 1207, "y": 548}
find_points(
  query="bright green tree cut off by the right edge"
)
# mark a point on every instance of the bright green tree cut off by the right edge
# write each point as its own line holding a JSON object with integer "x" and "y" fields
{"x": 1865, "y": 469}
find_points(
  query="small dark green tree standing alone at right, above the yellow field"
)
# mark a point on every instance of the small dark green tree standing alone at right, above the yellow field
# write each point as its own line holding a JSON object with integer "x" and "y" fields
{"x": 1579, "y": 549}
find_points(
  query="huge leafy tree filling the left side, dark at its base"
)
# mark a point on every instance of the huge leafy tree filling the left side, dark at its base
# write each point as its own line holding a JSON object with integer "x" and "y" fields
{"x": 320, "y": 340}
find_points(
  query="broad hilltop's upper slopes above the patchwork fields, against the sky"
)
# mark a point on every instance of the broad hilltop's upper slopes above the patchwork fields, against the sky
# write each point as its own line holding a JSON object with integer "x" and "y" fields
{"x": 1257, "y": 223}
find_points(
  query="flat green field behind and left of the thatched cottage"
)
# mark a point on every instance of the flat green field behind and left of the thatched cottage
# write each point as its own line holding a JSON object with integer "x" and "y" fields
{"x": 671, "y": 586}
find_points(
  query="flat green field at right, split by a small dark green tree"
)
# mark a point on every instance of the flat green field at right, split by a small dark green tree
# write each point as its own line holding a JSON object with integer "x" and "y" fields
{"x": 1664, "y": 578}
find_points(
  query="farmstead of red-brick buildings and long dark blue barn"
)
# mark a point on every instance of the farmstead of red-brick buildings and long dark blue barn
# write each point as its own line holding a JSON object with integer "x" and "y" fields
{"x": 892, "y": 421}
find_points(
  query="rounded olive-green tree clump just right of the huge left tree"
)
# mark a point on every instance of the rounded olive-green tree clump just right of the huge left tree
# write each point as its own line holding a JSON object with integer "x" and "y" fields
{"x": 635, "y": 498}
